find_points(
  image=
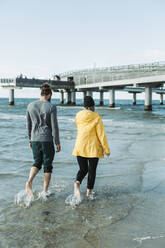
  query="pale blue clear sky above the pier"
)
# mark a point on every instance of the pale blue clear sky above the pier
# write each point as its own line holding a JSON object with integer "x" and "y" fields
{"x": 39, "y": 38}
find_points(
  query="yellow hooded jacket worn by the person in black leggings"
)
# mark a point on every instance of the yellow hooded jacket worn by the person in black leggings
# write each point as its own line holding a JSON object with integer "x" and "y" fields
{"x": 91, "y": 141}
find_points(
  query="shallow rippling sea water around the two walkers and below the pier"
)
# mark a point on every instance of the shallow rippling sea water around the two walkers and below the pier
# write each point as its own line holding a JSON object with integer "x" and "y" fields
{"x": 127, "y": 207}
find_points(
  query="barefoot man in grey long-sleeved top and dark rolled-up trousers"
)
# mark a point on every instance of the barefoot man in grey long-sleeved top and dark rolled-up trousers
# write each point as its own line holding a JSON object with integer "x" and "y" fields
{"x": 42, "y": 128}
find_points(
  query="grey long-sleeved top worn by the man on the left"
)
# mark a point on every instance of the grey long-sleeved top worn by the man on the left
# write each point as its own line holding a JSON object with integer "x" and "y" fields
{"x": 42, "y": 122}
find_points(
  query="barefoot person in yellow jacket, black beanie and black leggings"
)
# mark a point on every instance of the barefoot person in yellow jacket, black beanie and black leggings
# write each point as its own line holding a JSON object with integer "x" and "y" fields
{"x": 91, "y": 144}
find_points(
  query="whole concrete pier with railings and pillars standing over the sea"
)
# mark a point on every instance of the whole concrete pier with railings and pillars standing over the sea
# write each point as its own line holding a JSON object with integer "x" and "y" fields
{"x": 134, "y": 79}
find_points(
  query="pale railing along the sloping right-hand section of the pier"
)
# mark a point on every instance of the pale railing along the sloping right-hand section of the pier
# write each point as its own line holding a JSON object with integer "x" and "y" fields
{"x": 105, "y": 74}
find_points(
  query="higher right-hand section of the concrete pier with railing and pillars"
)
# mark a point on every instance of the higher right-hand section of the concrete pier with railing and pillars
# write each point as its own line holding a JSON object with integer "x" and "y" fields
{"x": 149, "y": 77}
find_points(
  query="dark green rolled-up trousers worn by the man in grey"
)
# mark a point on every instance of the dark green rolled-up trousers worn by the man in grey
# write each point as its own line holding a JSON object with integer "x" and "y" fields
{"x": 43, "y": 154}
